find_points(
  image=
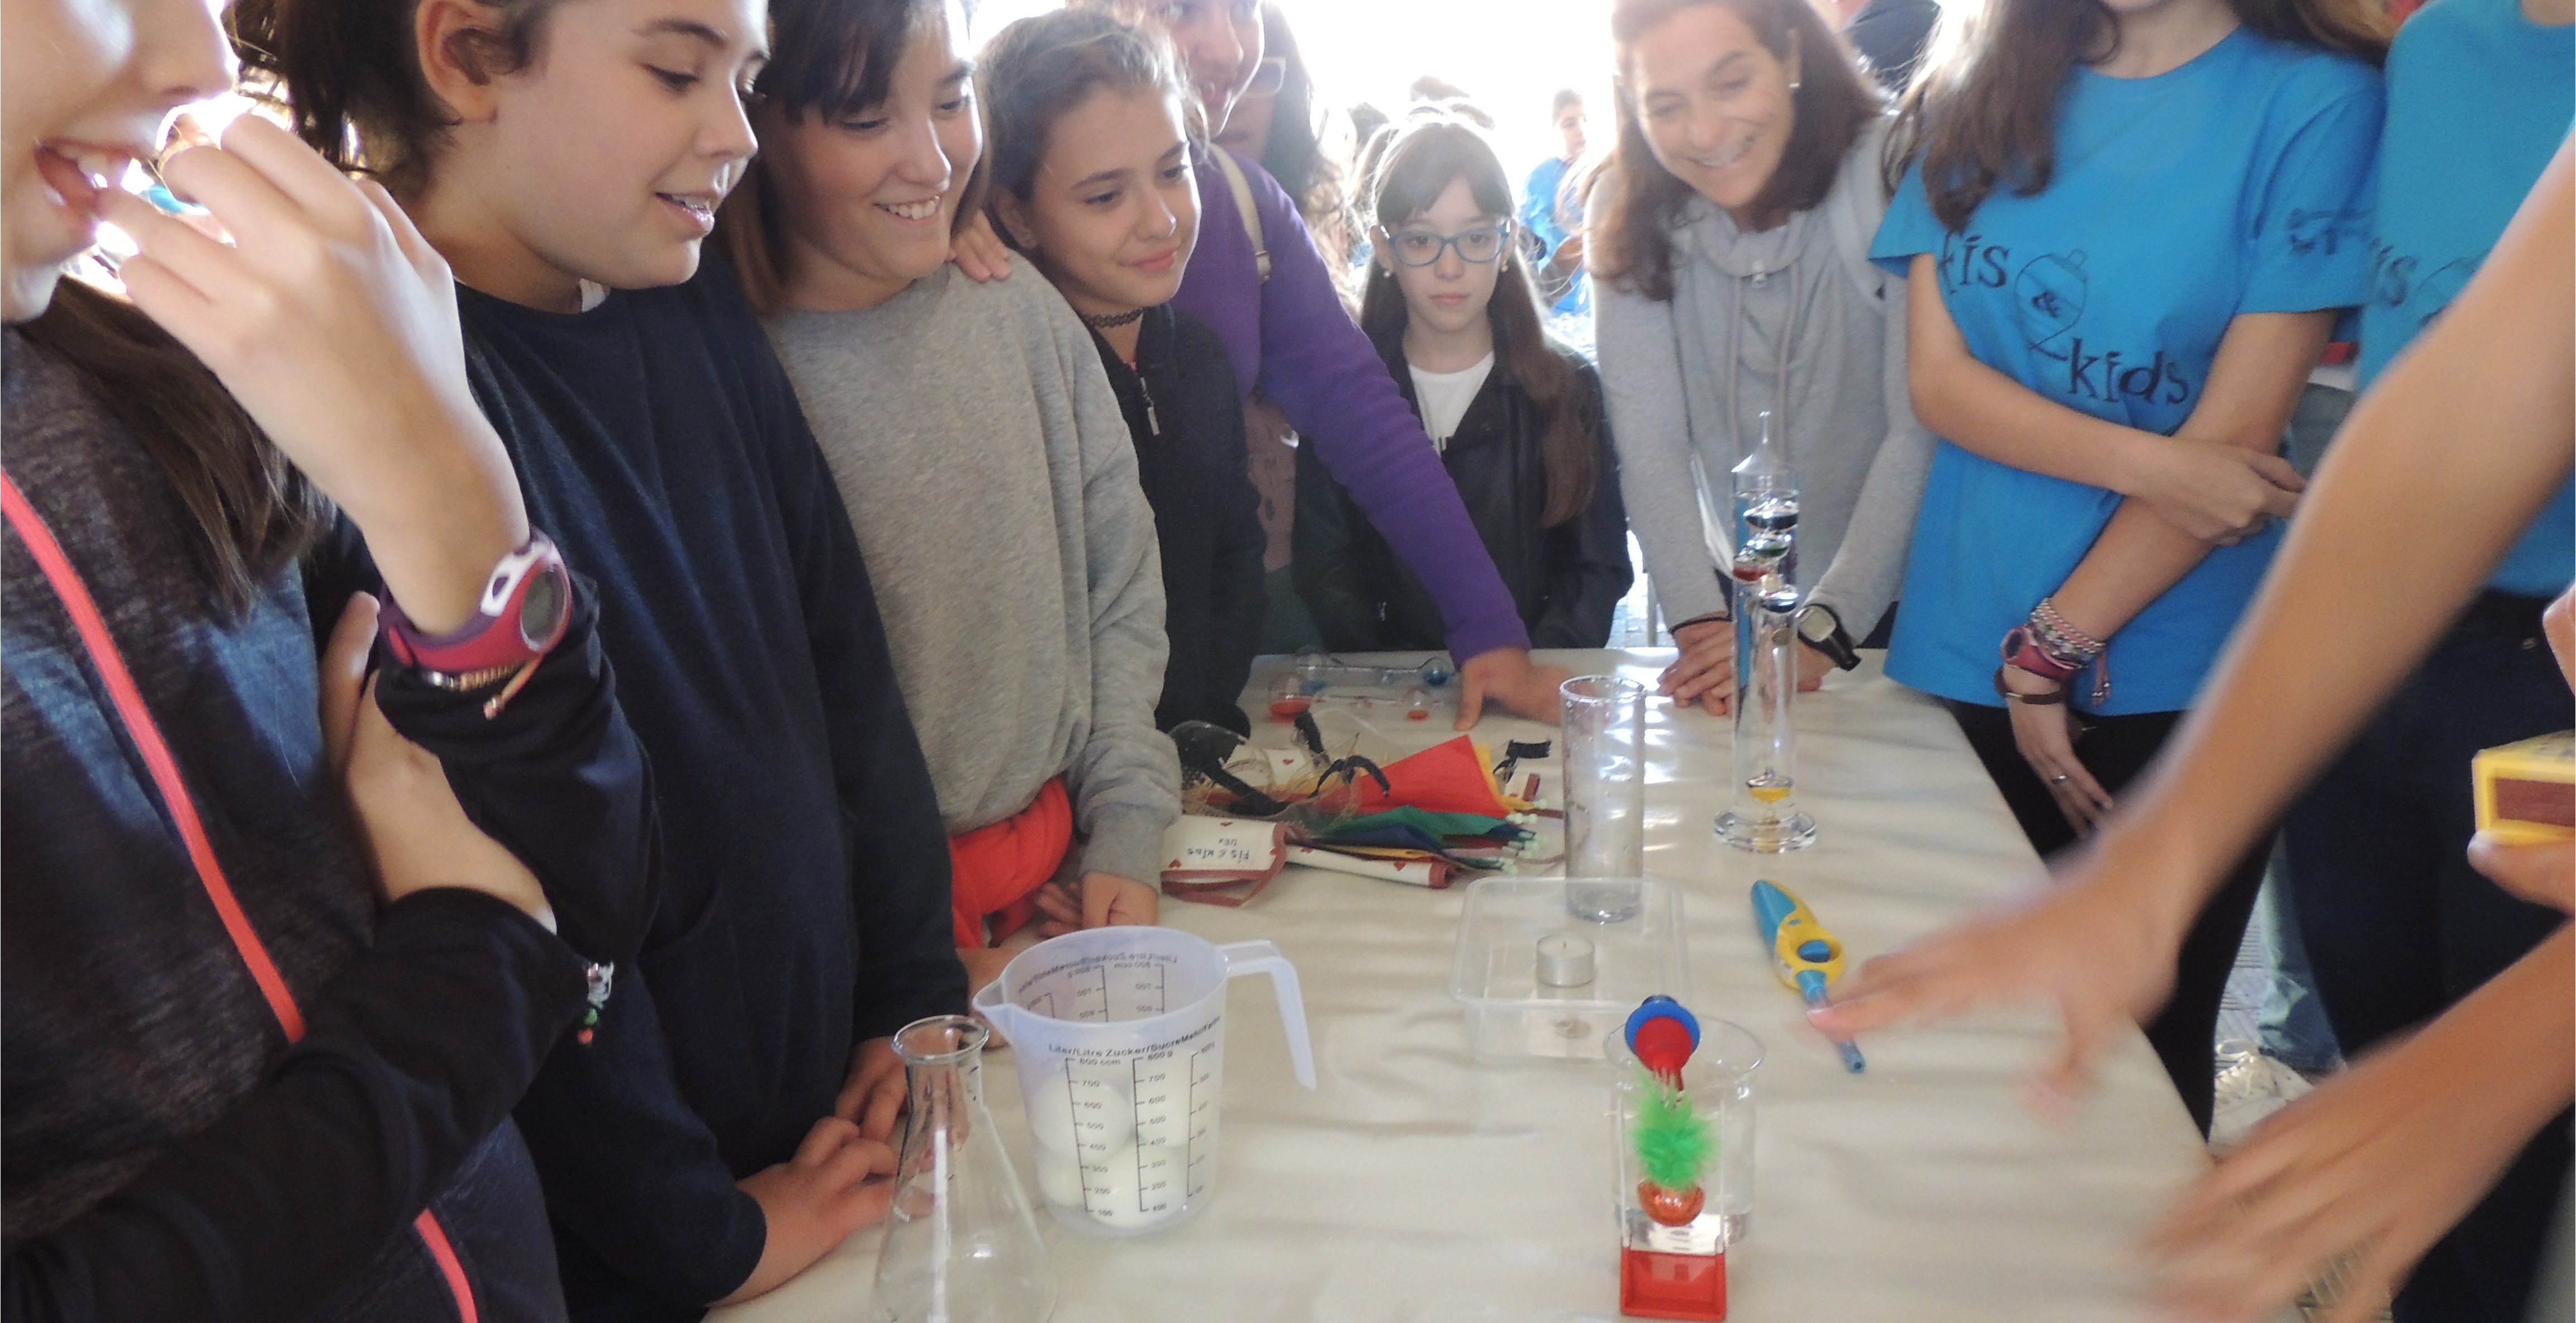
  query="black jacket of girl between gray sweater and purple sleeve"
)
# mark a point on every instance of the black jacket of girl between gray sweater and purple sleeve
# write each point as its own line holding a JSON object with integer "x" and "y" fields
{"x": 1191, "y": 459}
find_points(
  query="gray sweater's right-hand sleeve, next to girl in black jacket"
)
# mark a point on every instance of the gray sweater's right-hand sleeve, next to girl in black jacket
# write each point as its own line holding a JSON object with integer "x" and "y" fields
{"x": 1124, "y": 779}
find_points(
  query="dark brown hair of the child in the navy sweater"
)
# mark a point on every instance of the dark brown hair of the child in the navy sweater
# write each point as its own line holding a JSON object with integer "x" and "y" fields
{"x": 349, "y": 76}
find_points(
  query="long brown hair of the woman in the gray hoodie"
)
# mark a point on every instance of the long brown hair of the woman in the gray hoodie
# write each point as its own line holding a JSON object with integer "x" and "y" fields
{"x": 1632, "y": 238}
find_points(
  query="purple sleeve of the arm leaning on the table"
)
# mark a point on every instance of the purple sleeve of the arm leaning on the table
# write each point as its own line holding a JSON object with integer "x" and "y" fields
{"x": 1338, "y": 398}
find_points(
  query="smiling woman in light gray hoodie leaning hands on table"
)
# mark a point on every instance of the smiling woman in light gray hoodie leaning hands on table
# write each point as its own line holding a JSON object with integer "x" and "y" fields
{"x": 1732, "y": 264}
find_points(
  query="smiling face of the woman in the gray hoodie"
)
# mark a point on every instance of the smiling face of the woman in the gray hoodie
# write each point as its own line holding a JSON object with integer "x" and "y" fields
{"x": 1714, "y": 102}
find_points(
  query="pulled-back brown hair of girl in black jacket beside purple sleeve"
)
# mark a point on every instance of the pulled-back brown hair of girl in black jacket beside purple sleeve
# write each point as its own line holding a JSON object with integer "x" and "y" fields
{"x": 1042, "y": 68}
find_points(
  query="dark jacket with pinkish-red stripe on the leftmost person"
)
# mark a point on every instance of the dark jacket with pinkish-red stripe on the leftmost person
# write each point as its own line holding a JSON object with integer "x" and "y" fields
{"x": 169, "y": 1152}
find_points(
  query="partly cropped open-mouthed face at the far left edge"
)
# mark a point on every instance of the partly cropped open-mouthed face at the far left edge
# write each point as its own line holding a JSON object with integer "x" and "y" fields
{"x": 84, "y": 91}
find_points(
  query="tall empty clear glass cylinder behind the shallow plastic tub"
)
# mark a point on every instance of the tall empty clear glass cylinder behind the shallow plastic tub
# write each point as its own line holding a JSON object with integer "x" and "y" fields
{"x": 1606, "y": 794}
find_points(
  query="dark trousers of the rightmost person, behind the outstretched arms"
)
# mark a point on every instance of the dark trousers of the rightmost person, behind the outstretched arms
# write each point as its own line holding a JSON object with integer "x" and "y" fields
{"x": 2400, "y": 925}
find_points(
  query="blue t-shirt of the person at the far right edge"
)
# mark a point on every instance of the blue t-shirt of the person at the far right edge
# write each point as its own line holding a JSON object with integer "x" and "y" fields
{"x": 2479, "y": 102}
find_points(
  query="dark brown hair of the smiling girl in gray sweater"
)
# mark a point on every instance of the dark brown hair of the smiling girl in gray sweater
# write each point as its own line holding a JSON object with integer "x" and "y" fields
{"x": 828, "y": 58}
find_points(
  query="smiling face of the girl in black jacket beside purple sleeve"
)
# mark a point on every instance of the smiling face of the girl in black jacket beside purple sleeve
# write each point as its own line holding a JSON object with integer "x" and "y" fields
{"x": 1114, "y": 212}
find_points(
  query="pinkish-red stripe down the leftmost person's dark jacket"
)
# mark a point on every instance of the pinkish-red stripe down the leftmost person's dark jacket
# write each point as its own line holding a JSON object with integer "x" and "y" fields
{"x": 192, "y": 830}
